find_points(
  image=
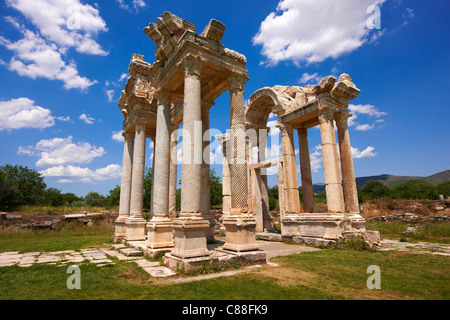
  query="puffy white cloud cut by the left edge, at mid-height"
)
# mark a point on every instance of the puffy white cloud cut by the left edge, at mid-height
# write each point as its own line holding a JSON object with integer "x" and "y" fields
{"x": 23, "y": 113}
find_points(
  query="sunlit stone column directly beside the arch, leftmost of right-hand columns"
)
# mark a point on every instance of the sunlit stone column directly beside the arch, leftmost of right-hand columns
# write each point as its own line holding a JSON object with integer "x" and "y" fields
{"x": 290, "y": 169}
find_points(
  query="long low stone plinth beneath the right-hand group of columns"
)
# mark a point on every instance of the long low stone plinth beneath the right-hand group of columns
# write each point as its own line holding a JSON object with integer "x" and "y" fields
{"x": 327, "y": 226}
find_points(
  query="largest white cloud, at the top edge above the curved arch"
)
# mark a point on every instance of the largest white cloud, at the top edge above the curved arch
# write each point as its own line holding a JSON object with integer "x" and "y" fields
{"x": 312, "y": 31}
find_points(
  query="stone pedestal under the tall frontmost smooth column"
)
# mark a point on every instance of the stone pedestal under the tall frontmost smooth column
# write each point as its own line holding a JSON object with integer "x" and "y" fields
{"x": 190, "y": 236}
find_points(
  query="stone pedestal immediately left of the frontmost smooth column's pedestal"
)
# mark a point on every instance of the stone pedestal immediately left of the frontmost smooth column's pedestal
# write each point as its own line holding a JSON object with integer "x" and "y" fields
{"x": 160, "y": 233}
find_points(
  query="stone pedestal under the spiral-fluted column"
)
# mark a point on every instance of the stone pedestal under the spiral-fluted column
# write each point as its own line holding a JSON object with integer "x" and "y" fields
{"x": 240, "y": 233}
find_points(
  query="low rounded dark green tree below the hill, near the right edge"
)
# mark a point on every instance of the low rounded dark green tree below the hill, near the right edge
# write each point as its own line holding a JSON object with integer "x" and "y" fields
{"x": 414, "y": 189}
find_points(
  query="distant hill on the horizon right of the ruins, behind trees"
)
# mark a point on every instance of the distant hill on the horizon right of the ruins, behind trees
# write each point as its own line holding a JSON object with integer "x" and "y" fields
{"x": 391, "y": 180}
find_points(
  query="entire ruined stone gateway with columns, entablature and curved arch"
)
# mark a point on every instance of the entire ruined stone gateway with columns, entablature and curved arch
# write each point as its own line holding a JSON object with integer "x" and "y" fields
{"x": 189, "y": 72}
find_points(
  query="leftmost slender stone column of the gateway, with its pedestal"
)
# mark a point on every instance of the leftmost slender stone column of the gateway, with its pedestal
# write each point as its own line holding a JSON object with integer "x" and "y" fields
{"x": 125, "y": 187}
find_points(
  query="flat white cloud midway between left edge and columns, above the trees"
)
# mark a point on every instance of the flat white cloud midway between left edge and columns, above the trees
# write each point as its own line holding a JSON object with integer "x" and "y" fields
{"x": 60, "y": 151}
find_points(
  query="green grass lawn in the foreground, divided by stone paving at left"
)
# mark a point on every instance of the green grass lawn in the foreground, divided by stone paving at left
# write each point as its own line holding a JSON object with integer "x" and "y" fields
{"x": 326, "y": 274}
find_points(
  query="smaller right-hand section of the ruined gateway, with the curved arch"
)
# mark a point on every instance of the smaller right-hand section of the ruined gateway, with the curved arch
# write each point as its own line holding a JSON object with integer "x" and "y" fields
{"x": 301, "y": 108}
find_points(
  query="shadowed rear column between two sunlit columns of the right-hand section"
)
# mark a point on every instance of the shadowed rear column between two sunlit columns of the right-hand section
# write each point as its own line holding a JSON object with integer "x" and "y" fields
{"x": 305, "y": 170}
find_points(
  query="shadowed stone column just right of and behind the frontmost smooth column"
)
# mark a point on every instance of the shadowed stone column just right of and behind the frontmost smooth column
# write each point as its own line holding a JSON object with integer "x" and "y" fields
{"x": 206, "y": 173}
